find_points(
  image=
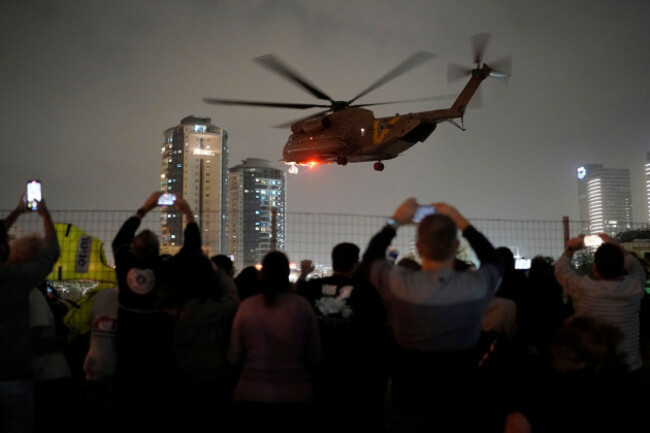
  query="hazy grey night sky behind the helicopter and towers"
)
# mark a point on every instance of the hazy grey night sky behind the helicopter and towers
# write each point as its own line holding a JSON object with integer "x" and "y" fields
{"x": 87, "y": 88}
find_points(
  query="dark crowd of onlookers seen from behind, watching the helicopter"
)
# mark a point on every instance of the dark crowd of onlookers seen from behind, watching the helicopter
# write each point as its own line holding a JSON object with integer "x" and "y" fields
{"x": 432, "y": 344}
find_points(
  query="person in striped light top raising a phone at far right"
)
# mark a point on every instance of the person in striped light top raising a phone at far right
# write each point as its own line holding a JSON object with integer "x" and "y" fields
{"x": 613, "y": 291}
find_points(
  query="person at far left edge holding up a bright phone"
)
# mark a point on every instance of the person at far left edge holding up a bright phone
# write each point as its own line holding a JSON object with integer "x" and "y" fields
{"x": 16, "y": 282}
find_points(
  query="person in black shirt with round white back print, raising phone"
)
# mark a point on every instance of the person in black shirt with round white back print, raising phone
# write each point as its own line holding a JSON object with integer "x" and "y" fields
{"x": 145, "y": 367}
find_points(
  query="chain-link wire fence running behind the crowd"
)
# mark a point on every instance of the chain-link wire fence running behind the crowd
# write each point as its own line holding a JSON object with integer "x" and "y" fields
{"x": 312, "y": 235}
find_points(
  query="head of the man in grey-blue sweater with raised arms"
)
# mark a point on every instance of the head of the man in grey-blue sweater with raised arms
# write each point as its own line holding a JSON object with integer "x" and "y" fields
{"x": 437, "y": 237}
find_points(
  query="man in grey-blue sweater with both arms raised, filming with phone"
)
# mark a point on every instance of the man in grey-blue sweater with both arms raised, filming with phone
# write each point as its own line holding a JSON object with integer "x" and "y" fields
{"x": 435, "y": 315}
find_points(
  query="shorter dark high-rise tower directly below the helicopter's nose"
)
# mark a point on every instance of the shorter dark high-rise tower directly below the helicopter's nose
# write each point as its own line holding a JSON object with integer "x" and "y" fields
{"x": 256, "y": 211}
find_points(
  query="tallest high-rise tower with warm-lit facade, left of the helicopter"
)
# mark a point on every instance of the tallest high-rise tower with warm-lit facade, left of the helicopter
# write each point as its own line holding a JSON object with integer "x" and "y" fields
{"x": 195, "y": 167}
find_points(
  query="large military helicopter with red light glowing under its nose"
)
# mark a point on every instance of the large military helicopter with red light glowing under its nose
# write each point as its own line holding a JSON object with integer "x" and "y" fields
{"x": 346, "y": 133}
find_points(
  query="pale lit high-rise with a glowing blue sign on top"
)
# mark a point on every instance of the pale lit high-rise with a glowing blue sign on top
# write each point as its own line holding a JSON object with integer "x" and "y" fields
{"x": 605, "y": 199}
